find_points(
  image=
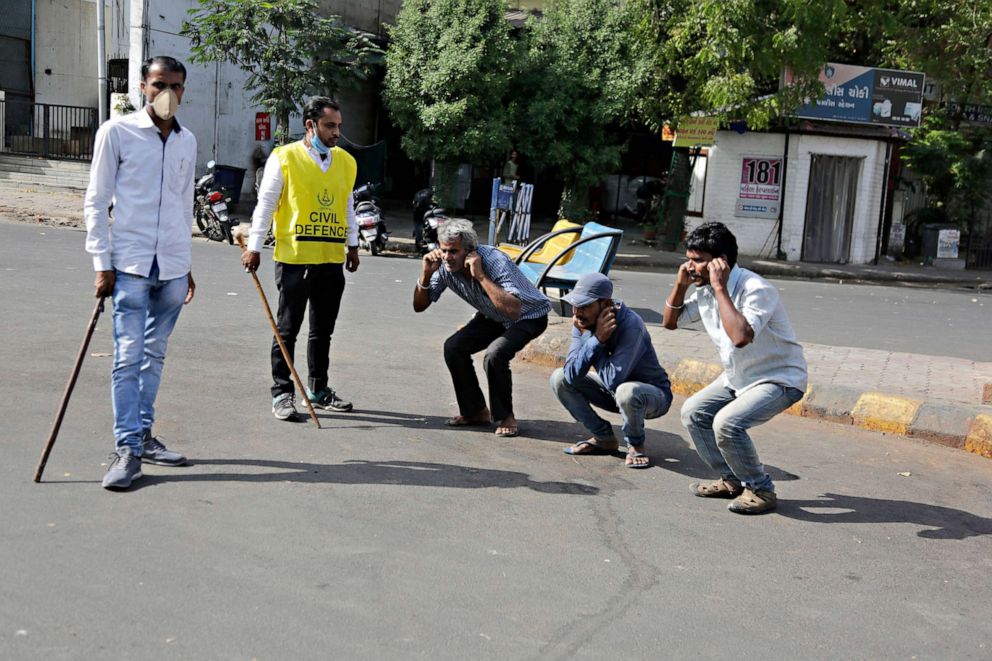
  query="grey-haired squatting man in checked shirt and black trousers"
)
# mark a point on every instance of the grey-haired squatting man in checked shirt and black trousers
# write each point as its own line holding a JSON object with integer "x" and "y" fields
{"x": 510, "y": 312}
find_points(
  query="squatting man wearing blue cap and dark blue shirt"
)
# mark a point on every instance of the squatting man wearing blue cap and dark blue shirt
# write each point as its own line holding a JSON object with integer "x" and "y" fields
{"x": 612, "y": 339}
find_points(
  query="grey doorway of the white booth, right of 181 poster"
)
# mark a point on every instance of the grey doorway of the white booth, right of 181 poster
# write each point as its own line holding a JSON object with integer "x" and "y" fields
{"x": 830, "y": 200}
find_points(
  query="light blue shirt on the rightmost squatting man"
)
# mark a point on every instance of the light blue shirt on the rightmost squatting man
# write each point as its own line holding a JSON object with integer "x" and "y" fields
{"x": 774, "y": 356}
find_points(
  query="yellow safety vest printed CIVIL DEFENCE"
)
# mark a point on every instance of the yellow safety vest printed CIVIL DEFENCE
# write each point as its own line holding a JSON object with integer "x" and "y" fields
{"x": 310, "y": 223}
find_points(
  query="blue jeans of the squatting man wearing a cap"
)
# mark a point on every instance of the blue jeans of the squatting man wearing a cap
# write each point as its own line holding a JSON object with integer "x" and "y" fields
{"x": 634, "y": 401}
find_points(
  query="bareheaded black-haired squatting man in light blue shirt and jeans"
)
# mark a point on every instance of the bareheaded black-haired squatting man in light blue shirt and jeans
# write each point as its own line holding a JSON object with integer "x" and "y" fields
{"x": 764, "y": 368}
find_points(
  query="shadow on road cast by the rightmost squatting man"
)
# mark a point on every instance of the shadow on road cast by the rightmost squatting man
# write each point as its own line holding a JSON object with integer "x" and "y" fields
{"x": 943, "y": 522}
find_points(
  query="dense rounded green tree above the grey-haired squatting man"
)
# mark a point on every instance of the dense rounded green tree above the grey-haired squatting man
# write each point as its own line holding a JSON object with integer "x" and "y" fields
{"x": 449, "y": 68}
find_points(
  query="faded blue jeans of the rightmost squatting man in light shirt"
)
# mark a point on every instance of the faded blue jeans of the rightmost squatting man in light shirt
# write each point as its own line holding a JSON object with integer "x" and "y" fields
{"x": 718, "y": 421}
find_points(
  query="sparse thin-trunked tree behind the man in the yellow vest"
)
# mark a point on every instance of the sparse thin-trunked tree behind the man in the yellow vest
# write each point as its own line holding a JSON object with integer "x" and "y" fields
{"x": 287, "y": 49}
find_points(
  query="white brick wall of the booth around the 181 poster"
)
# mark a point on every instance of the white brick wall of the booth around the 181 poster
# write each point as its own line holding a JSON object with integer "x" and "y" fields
{"x": 758, "y": 236}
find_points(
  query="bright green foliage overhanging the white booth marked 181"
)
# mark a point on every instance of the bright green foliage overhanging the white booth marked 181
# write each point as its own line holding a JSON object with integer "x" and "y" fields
{"x": 725, "y": 57}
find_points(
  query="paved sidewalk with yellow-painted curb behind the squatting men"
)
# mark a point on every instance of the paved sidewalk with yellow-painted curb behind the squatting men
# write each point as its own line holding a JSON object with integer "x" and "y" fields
{"x": 933, "y": 398}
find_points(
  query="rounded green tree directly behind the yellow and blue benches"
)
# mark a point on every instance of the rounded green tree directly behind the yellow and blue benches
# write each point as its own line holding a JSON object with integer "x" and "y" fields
{"x": 577, "y": 83}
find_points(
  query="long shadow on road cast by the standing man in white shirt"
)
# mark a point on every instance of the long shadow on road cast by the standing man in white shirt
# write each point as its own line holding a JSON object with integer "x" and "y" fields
{"x": 403, "y": 473}
